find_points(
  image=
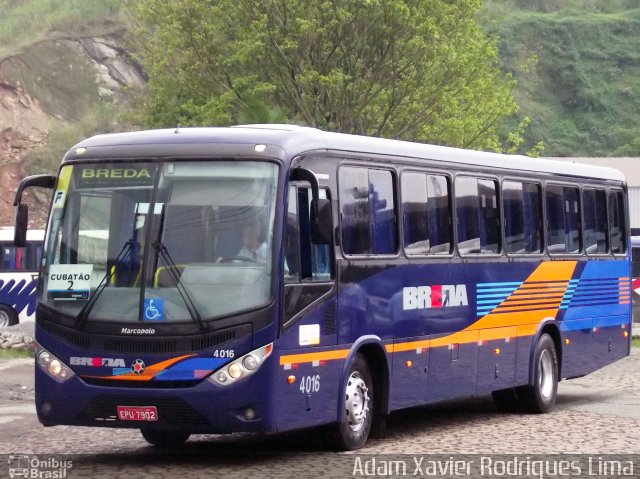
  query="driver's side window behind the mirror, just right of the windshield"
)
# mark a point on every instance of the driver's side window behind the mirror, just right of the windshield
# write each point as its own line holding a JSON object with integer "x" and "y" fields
{"x": 303, "y": 260}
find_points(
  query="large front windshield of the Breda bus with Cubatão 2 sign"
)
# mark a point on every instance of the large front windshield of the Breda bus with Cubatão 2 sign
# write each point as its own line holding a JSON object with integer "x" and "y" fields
{"x": 170, "y": 242}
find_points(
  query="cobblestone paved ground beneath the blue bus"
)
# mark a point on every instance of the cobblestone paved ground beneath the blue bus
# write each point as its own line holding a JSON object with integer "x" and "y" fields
{"x": 599, "y": 414}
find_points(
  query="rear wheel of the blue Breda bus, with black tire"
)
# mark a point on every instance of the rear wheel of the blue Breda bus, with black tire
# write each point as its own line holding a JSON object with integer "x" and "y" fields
{"x": 541, "y": 396}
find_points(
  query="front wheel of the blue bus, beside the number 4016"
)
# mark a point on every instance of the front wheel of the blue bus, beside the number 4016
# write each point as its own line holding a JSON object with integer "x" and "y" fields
{"x": 352, "y": 432}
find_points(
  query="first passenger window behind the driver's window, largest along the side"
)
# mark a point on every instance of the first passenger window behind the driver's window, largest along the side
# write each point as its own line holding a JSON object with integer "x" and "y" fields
{"x": 368, "y": 211}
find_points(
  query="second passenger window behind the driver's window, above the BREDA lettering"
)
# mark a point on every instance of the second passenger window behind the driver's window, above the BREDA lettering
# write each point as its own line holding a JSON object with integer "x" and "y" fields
{"x": 426, "y": 214}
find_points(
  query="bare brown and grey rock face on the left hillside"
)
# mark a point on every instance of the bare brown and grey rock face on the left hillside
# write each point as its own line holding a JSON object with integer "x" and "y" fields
{"x": 53, "y": 83}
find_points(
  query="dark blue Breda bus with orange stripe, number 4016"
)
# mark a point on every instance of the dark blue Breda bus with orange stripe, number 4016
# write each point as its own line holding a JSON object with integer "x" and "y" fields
{"x": 389, "y": 274}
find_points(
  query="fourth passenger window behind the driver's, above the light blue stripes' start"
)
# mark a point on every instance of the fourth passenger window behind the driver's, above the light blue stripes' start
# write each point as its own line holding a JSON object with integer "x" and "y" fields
{"x": 522, "y": 217}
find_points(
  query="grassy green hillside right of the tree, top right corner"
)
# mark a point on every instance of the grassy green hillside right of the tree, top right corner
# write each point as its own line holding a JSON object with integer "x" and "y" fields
{"x": 578, "y": 71}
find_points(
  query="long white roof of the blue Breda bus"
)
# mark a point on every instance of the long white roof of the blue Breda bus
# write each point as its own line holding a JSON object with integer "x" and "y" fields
{"x": 293, "y": 140}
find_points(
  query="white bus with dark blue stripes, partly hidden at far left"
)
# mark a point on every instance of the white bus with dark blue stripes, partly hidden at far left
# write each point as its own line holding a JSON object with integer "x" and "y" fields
{"x": 19, "y": 276}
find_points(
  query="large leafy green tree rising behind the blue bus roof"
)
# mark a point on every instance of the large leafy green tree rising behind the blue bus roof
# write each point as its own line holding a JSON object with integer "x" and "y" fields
{"x": 421, "y": 70}
